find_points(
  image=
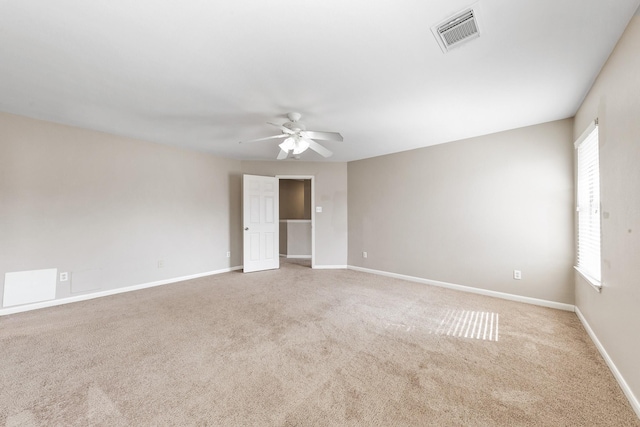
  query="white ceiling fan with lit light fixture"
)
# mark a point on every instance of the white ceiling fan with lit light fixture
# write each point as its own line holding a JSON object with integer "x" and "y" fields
{"x": 298, "y": 139}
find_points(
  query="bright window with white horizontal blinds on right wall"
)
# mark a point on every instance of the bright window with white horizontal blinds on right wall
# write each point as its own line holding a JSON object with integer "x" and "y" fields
{"x": 588, "y": 205}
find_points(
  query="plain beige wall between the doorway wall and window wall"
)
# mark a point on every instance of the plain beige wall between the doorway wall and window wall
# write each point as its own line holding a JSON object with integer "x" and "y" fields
{"x": 470, "y": 212}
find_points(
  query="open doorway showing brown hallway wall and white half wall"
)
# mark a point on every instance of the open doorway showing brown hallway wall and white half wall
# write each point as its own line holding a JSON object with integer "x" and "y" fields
{"x": 297, "y": 239}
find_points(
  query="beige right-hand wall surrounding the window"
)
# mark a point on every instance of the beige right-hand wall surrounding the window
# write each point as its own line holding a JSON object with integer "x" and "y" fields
{"x": 614, "y": 314}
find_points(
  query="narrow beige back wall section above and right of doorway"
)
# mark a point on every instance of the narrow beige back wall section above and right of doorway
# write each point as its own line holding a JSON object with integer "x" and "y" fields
{"x": 330, "y": 180}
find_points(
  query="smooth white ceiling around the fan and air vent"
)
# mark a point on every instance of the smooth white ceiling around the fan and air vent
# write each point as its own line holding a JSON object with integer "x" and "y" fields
{"x": 206, "y": 74}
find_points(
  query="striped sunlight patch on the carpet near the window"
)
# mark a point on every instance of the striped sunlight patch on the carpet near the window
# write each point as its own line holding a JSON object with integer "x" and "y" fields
{"x": 480, "y": 325}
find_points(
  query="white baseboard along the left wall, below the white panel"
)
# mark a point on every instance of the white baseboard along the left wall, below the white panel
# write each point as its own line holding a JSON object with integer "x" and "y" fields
{"x": 85, "y": 297}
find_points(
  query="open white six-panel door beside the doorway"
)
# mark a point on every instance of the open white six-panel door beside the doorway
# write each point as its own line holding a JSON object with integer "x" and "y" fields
{"x": 261, "y": 221}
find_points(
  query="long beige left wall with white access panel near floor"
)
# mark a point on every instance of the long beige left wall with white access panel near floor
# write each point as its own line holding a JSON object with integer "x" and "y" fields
{"x": 112, "y": 210}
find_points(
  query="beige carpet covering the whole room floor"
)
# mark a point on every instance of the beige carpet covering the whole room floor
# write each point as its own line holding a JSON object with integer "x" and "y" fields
{"x": 303, "y": 347}
